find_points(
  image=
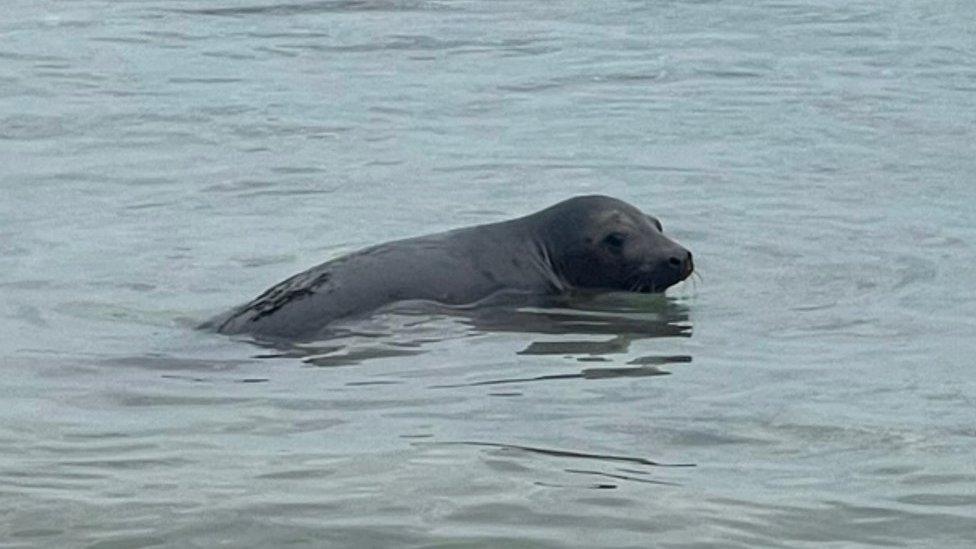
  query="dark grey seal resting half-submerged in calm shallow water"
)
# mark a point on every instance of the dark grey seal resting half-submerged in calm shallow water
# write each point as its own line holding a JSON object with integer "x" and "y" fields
{"x": 587, "y": 242}
